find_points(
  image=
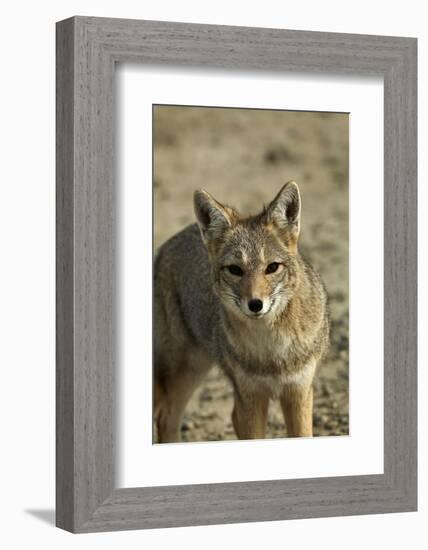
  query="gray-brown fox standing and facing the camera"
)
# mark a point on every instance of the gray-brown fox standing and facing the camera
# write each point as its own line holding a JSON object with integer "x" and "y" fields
{"x": 236, "y": 292}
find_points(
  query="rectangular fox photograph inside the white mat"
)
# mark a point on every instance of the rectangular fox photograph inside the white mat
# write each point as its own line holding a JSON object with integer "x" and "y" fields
{"x": 250, "y": 274}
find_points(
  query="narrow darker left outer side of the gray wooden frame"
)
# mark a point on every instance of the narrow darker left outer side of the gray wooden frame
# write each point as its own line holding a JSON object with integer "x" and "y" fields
{"x": 64, "y": 277}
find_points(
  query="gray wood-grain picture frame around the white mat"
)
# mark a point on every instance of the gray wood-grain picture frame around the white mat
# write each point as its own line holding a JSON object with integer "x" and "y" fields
{"x": 87, "y": 50}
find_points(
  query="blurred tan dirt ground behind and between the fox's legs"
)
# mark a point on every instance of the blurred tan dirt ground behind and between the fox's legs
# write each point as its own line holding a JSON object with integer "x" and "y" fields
{"x": 243, "y": 157}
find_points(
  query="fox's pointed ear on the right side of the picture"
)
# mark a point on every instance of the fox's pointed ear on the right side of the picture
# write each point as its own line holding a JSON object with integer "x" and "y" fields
{"x": 284, "y": 210}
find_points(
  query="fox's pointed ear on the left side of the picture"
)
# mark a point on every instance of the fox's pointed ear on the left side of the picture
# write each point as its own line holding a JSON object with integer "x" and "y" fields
{"x": 213, "y": 218}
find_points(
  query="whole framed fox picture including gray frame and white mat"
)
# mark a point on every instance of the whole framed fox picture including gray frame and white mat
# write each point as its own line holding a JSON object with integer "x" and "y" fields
{"x": 236, "y": 274}
